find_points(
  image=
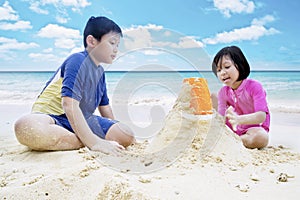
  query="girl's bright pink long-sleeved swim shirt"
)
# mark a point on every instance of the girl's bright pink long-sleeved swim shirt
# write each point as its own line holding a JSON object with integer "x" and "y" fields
{"x": 248, "y": 98}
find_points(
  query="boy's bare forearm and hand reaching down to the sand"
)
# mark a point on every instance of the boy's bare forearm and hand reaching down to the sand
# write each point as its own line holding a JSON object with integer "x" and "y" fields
{"x": 82, "y": 130}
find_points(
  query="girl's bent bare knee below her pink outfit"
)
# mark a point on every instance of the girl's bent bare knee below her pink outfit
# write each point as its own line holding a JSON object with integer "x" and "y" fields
{"x": 255, "y": 137}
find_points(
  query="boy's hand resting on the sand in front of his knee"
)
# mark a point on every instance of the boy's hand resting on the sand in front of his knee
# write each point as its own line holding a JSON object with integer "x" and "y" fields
{"x": 108, "y": 147}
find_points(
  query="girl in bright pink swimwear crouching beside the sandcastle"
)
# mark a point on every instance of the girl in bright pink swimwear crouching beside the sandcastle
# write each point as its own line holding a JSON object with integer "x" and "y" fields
{"x": 242, "y": 100}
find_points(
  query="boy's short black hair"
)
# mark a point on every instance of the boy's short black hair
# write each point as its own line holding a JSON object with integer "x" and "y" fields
{"x": 99, "y": 26}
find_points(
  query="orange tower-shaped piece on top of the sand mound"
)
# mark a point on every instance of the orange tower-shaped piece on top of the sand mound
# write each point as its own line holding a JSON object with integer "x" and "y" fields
{"x": 200, "y": 96}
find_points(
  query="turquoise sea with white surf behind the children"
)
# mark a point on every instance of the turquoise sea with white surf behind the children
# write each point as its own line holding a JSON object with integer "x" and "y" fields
{"x": 283, "y": 87}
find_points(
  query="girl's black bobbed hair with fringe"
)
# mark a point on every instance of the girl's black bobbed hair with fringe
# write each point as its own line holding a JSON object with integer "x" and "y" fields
{"x": 238, "y": 59}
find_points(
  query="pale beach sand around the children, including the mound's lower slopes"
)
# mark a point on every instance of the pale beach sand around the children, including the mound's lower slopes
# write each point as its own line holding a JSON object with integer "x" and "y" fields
{"x": 203, "y": 161}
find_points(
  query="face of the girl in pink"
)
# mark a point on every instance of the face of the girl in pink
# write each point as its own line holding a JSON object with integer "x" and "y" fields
{"x": 227, "y": 72}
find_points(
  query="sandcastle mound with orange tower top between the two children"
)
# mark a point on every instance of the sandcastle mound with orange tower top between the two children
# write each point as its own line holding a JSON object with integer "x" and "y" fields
{"x": 191, "y": 130}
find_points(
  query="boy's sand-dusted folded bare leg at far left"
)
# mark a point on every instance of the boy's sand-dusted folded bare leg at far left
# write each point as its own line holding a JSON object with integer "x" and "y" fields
{"x": 39, "y": 132}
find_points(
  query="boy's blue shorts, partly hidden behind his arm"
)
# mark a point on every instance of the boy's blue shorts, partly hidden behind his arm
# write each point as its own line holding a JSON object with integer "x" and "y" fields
{"x": 99, "y": 125}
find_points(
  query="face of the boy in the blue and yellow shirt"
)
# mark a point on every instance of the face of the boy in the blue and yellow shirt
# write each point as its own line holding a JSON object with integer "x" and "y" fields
{"x": 106, "y": 50}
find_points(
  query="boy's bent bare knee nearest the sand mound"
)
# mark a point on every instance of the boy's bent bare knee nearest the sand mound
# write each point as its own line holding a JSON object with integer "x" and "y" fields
{"x": 121, "y": 134}
